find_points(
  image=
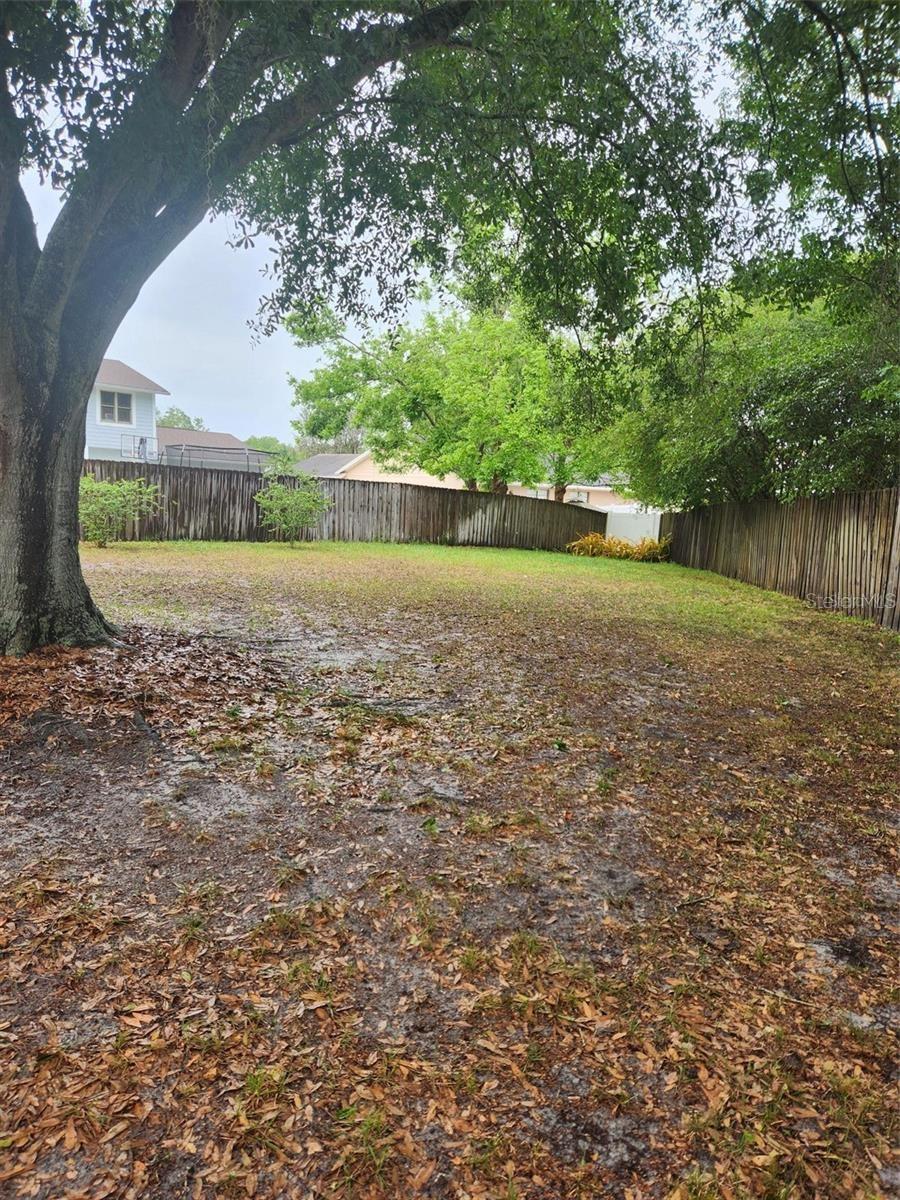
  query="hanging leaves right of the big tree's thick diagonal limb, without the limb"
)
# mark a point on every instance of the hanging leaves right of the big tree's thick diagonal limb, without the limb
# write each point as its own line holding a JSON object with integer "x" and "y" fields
{"x": 572, "y": 122}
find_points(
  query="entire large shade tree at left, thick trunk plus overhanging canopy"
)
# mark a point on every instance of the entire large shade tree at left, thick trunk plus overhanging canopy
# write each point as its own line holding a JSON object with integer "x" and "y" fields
{"x": 356, "y": 137}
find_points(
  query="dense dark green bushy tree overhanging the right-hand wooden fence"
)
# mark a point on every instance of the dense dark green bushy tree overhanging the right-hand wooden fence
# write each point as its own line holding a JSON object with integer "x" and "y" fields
{"x": 787, "y": 404}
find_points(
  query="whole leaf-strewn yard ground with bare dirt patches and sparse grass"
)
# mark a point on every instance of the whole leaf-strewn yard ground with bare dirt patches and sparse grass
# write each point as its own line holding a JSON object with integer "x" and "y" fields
{"x": 413, "y": 872}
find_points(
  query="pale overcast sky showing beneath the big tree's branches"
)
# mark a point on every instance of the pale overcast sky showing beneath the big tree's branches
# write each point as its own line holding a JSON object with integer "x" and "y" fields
{"x": 189, "y": 332}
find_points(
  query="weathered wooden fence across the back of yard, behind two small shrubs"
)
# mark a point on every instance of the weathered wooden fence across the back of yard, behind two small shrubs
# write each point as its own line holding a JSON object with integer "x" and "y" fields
{"x": 218, "y": 506}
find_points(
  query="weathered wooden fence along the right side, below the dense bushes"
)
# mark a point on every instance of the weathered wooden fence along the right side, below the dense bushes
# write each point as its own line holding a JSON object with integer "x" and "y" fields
{"x": 842, "y": 553}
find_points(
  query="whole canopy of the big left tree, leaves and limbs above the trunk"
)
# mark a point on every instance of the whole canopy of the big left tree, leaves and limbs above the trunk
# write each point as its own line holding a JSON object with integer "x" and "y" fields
{"x": 364, "y": 140}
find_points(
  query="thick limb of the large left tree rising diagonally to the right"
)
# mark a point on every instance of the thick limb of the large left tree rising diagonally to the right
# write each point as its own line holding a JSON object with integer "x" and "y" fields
{"x": 107, "y": 205}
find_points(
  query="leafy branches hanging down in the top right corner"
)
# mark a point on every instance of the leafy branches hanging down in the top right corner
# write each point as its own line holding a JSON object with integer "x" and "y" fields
{"x": 814, "y": 119}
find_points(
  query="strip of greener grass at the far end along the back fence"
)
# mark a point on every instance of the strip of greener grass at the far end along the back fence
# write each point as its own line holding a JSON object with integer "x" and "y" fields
{"x": 647, "y": 595}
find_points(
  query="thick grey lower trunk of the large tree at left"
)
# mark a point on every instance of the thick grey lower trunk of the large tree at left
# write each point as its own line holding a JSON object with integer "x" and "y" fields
{"x": 44, "y": 598}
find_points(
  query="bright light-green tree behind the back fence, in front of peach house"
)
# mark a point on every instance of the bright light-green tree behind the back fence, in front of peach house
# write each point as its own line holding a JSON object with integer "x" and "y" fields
{"x": 479, "y": 397}
